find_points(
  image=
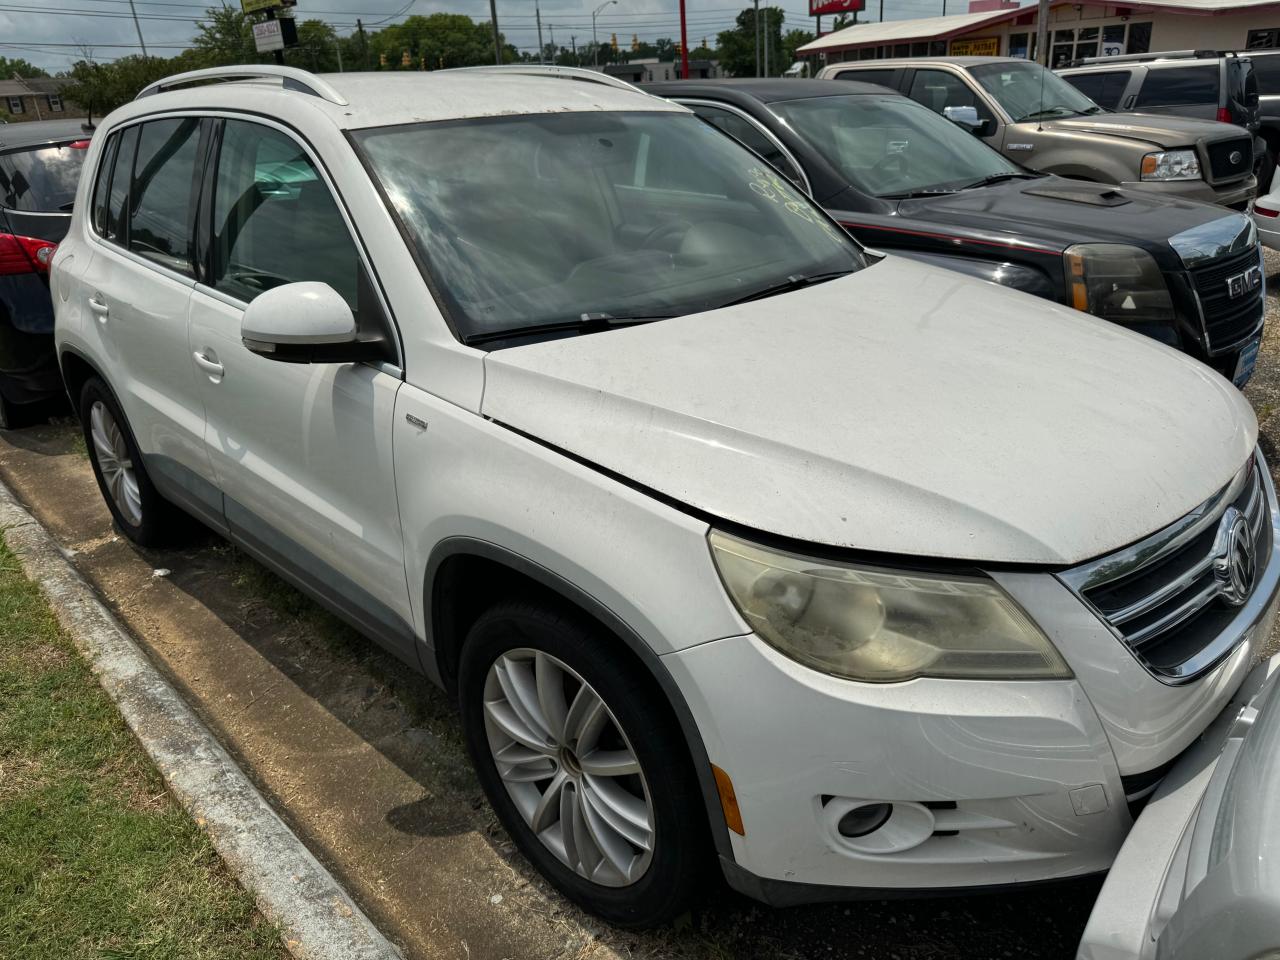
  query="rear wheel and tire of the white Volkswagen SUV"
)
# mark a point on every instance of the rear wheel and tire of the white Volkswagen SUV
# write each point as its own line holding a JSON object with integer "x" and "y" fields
{"x": 139, "y": 510}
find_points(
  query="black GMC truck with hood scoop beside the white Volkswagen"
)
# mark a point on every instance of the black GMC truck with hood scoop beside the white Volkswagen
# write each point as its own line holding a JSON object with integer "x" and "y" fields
{"x": 902, "y": 179}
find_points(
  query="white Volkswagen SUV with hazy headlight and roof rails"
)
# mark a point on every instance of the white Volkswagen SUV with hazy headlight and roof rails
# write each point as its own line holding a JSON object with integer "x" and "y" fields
{"x": 844, "y": 570}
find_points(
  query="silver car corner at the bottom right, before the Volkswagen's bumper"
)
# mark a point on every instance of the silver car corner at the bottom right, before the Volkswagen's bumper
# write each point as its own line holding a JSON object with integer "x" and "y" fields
{"x": 1200, "y": 875}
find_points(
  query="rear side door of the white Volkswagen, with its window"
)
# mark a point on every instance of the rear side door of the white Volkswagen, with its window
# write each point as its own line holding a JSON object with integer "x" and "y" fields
{"x": 138, "y": 289}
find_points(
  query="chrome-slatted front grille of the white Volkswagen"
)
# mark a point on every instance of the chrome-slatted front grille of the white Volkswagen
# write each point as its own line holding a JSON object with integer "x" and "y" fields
{"x": 1163, "y": 596}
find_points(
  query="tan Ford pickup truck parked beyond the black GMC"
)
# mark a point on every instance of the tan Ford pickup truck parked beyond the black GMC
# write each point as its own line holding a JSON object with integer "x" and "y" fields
{"x": 1040, "y": 121}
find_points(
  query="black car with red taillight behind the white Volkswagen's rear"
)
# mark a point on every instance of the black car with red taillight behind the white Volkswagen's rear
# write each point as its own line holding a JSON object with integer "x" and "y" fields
{"x": 40, "y": 167}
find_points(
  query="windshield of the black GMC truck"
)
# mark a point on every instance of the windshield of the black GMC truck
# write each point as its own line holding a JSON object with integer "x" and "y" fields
{"x": 890, "y": 147}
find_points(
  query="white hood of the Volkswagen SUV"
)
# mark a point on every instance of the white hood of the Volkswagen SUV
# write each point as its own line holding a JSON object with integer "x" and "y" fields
{"x": 903, "y": 410}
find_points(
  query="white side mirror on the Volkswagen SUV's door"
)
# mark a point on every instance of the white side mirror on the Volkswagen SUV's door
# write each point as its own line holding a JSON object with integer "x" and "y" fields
{"x": 303, "y": 323}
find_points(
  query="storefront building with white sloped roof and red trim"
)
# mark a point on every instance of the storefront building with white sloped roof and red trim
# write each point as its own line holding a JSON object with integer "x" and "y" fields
{"x": 1076, "y": 31}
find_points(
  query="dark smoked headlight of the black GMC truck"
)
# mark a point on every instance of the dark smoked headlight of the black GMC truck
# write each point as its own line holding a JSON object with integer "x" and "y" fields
{"x": 1118, "y": 282}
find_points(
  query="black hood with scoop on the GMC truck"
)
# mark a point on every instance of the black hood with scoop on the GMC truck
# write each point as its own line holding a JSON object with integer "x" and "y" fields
{"x": 1060, "y": 213}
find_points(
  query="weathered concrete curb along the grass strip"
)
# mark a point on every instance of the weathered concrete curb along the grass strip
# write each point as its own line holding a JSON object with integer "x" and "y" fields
{"x": 294, "y": 890}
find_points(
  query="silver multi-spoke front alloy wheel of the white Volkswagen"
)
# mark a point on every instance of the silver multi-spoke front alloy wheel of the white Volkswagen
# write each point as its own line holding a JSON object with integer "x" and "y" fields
{"x": 569, "y": 767}
